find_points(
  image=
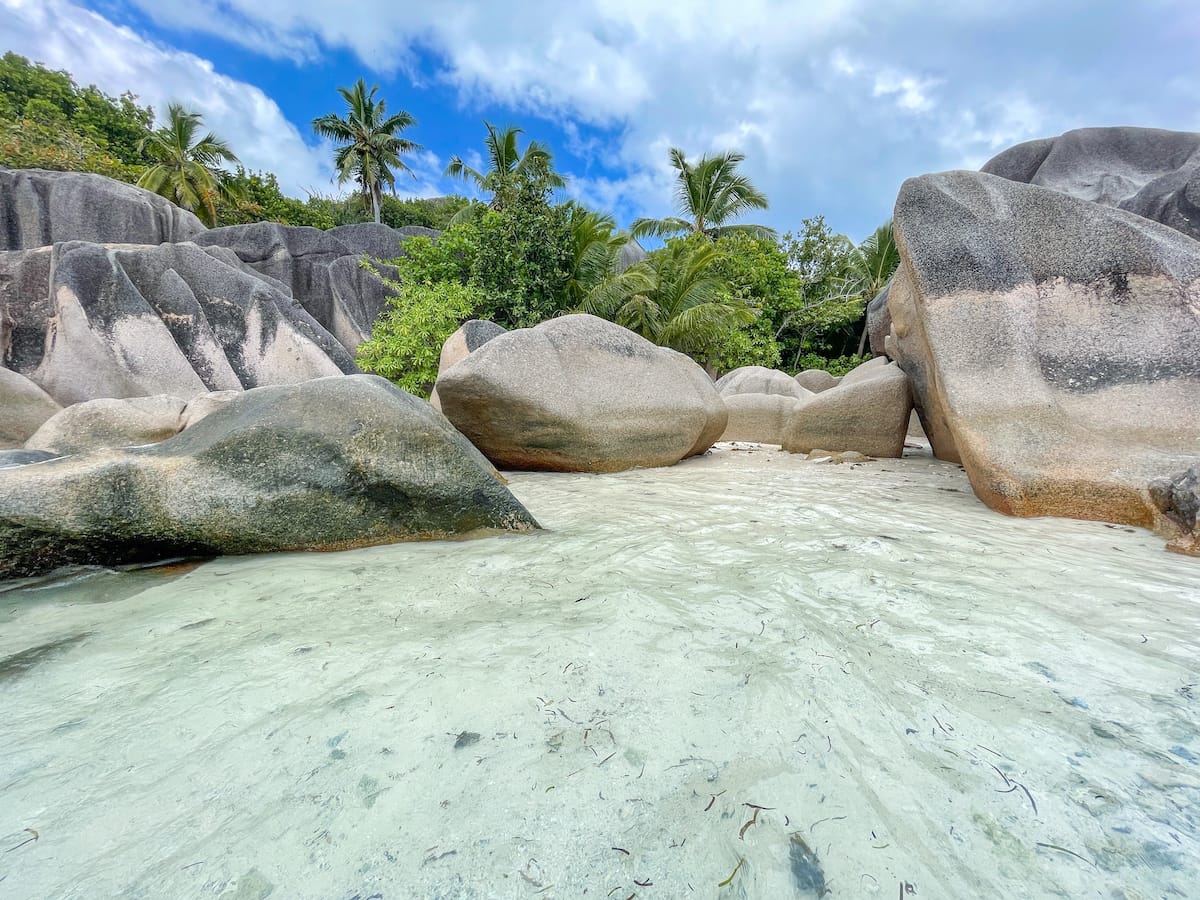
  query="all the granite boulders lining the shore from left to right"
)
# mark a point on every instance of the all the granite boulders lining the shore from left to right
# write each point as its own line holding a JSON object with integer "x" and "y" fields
{"x": 169, "y": 389}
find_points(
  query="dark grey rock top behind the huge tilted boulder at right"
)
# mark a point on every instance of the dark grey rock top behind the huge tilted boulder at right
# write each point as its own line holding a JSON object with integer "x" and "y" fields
{"x": 1149, "y": 172}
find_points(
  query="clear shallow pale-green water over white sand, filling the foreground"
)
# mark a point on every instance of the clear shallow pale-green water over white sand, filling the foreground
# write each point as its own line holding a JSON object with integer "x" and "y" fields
{"x": 746, "y": 676}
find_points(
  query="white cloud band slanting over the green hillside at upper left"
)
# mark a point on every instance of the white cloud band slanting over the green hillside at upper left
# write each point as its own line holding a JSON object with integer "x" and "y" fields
{"x": 97, "y": 52}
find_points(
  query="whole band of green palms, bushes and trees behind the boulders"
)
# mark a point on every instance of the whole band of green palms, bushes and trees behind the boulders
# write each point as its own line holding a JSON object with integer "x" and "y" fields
{"x": 727, "y": 292}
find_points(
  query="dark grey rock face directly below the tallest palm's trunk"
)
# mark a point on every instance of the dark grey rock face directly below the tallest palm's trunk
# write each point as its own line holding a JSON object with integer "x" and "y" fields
{"x": 322, "y": 269}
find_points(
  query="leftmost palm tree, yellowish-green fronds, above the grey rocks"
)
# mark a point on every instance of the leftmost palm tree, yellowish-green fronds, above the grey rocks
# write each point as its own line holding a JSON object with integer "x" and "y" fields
{"x": 188, "y": 171}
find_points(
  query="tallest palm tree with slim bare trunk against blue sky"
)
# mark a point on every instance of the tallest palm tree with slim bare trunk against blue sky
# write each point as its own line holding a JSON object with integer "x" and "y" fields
{"x": 370, "y": 146}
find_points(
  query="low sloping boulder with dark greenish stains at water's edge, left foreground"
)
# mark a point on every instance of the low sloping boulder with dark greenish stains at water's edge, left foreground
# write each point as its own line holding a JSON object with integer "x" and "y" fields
{"x": 327, "y": 465}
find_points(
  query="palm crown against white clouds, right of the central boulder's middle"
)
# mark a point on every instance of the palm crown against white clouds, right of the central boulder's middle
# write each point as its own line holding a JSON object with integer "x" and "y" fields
{"x": 709, "y": 195}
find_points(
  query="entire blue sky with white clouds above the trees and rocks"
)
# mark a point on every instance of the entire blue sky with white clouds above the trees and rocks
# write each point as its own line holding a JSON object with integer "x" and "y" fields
{"x": 835, "y": 103}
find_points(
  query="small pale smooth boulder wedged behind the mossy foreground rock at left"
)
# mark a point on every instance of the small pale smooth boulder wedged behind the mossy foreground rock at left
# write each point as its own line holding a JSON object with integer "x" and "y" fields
{"x": 104, "y": 424}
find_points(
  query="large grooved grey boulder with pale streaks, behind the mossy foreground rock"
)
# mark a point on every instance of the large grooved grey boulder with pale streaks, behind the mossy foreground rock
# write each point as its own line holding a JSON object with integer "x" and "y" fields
{"x": 135, "y": 321}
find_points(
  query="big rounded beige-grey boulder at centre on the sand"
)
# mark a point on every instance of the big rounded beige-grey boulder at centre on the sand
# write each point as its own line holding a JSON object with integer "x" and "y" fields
{"x": 580, "y": 394}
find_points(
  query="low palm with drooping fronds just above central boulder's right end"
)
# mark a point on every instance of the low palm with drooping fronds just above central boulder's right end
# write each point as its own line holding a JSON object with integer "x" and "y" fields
{"x": 674, "y": 298}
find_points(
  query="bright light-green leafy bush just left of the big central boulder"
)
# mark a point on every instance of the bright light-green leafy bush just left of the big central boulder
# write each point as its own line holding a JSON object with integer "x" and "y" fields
{"x": 409, "y": 335}
